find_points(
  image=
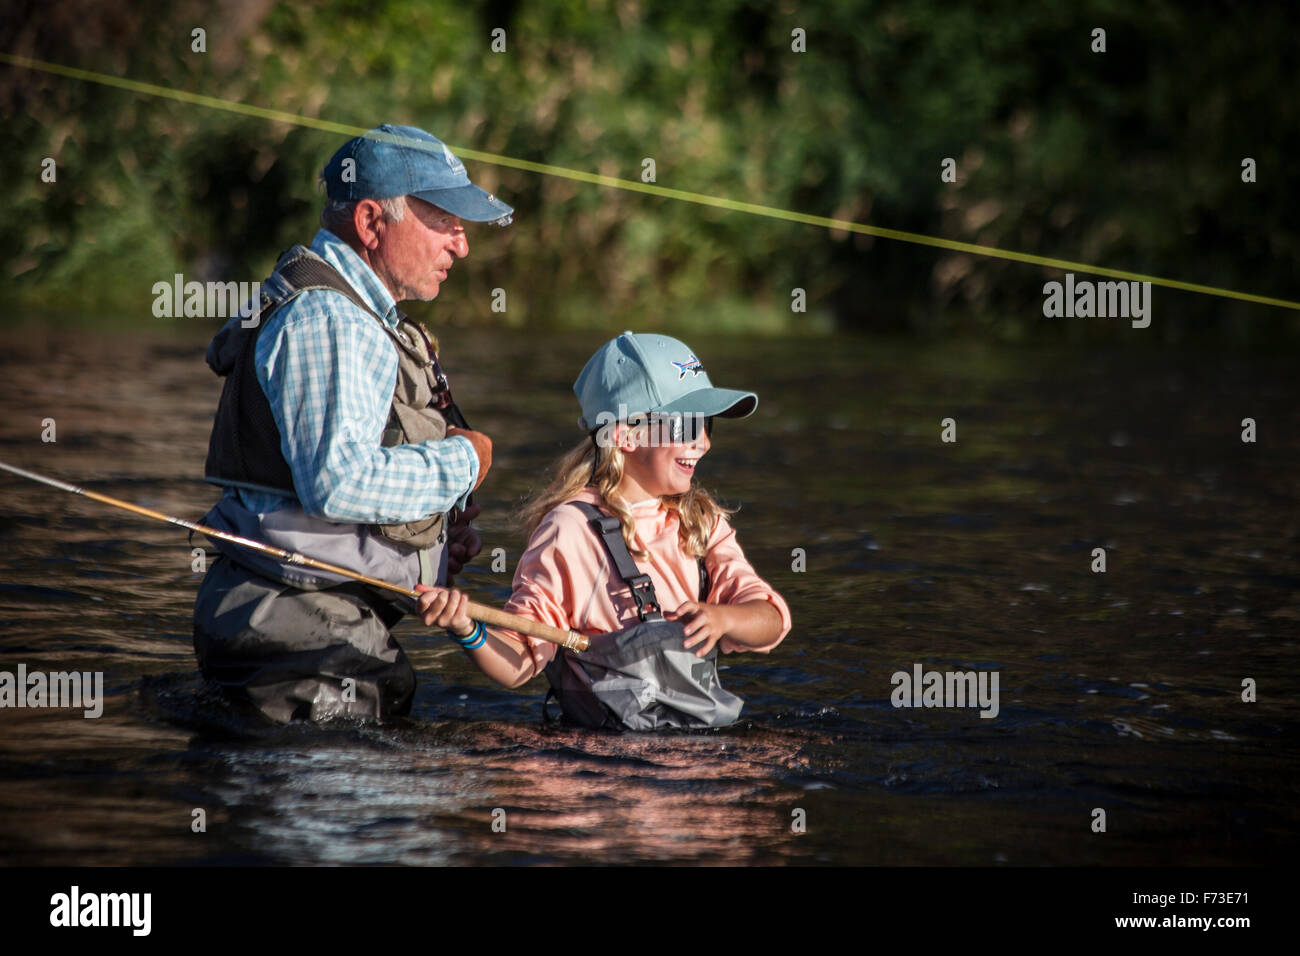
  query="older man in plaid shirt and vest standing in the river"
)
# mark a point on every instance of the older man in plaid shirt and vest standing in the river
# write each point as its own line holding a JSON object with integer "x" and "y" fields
{"x": 336, "y": 438}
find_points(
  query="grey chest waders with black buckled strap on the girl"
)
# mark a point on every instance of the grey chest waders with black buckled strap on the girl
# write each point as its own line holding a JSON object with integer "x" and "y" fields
{"x": 640, "y": 678}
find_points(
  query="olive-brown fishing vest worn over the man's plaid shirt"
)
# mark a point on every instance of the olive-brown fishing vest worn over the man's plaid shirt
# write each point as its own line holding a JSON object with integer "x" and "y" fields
{"x": 245, "y": 448}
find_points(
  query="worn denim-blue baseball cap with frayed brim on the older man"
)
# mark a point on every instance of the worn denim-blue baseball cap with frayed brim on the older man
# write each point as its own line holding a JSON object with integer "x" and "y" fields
{"x": 406, "y": 162}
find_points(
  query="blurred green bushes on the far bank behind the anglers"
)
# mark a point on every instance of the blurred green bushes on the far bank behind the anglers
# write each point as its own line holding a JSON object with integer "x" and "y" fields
{"x": 1129, "y": 159}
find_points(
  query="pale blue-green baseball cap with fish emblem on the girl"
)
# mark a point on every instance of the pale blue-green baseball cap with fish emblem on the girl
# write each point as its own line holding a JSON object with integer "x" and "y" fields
{"x": 647, "y": 374}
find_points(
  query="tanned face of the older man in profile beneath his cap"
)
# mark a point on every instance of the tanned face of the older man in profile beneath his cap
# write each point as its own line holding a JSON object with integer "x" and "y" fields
{"x": 415, "y": 256}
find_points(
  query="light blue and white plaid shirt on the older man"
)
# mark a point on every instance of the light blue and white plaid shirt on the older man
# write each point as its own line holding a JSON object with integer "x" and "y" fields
{"x": 330, "y": 371}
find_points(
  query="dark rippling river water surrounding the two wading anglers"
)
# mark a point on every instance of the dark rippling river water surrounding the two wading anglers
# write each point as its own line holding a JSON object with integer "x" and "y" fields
{"x": 1119, "y": 691}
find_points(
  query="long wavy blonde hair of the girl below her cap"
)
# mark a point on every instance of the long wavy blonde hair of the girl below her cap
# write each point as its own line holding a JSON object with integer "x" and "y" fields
{"x": 601, "y": 468}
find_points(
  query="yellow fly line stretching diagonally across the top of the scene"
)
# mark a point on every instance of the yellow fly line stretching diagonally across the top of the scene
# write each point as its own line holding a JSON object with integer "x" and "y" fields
{"x": 649, "y": 188}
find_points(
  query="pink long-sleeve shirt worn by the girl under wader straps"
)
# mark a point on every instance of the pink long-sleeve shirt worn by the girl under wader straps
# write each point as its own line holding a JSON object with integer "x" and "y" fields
{"x": 566, "y": 577}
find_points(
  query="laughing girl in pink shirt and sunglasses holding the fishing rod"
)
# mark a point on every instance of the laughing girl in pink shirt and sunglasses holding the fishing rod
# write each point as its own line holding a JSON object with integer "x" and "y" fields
{"x": 668, "y": 547}
